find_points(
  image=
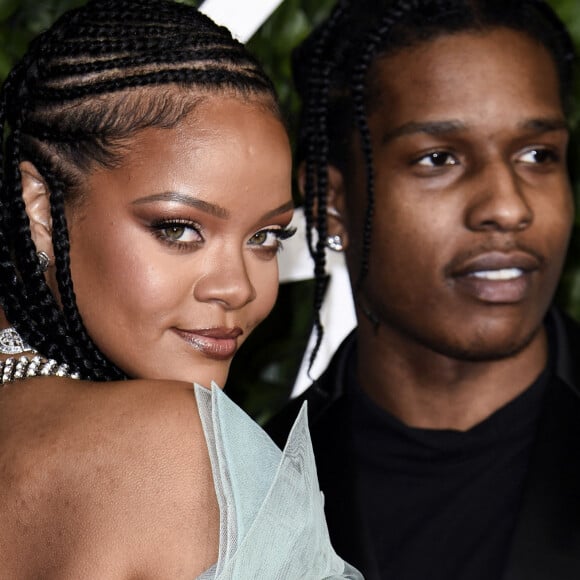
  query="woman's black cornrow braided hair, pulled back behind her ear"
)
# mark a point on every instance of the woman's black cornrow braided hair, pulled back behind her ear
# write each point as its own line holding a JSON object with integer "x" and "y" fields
{"x": 101, "y": 73}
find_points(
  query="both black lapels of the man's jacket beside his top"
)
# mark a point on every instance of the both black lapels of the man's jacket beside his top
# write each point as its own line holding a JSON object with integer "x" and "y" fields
{"x": 546, "y": 540}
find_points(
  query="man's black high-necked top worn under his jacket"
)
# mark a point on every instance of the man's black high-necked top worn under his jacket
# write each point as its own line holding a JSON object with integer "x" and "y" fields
{"x": 442, "y": 504}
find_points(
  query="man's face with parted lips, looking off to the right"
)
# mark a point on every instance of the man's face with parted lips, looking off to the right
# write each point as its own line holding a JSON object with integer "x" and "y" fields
{"x": 473, "y": 204}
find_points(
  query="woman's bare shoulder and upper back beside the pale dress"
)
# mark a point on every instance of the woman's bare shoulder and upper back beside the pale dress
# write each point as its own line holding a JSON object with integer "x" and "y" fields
{"x": 104, "y": 480}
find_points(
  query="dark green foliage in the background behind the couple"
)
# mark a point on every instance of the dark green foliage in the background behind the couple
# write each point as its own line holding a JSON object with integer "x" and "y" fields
{"x": 264, "y": 370}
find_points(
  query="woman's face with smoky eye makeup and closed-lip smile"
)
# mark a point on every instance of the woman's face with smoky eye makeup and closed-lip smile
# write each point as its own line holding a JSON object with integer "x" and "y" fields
{"x": 173, "y": 253}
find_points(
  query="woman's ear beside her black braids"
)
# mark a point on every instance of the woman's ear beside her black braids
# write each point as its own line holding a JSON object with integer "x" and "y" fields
{"x": 37, "y": 200}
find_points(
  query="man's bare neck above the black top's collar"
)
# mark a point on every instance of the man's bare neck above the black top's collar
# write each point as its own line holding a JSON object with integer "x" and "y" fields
{"x": 426, "y": 389}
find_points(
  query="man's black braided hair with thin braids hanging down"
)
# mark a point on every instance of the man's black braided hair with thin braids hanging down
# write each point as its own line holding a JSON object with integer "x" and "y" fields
{"x": 332, "y": 71}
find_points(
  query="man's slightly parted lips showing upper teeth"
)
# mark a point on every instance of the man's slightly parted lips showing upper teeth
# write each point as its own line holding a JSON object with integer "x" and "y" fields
{"x": 497, "y": 277}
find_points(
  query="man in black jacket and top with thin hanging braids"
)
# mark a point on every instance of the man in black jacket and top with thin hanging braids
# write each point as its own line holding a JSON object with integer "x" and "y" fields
{"x": 447, "y": 426}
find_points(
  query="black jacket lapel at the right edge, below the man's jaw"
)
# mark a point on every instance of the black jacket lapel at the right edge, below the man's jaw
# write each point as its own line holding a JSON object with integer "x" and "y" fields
{"x": 546, "y": 541}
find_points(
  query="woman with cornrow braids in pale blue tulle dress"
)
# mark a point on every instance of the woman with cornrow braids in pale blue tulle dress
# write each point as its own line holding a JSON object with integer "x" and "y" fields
{"x": 145, "y": 195}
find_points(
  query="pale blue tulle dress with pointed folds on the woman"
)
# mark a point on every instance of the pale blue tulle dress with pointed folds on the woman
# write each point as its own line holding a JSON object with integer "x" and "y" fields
{"x": 272, "y": 524}
